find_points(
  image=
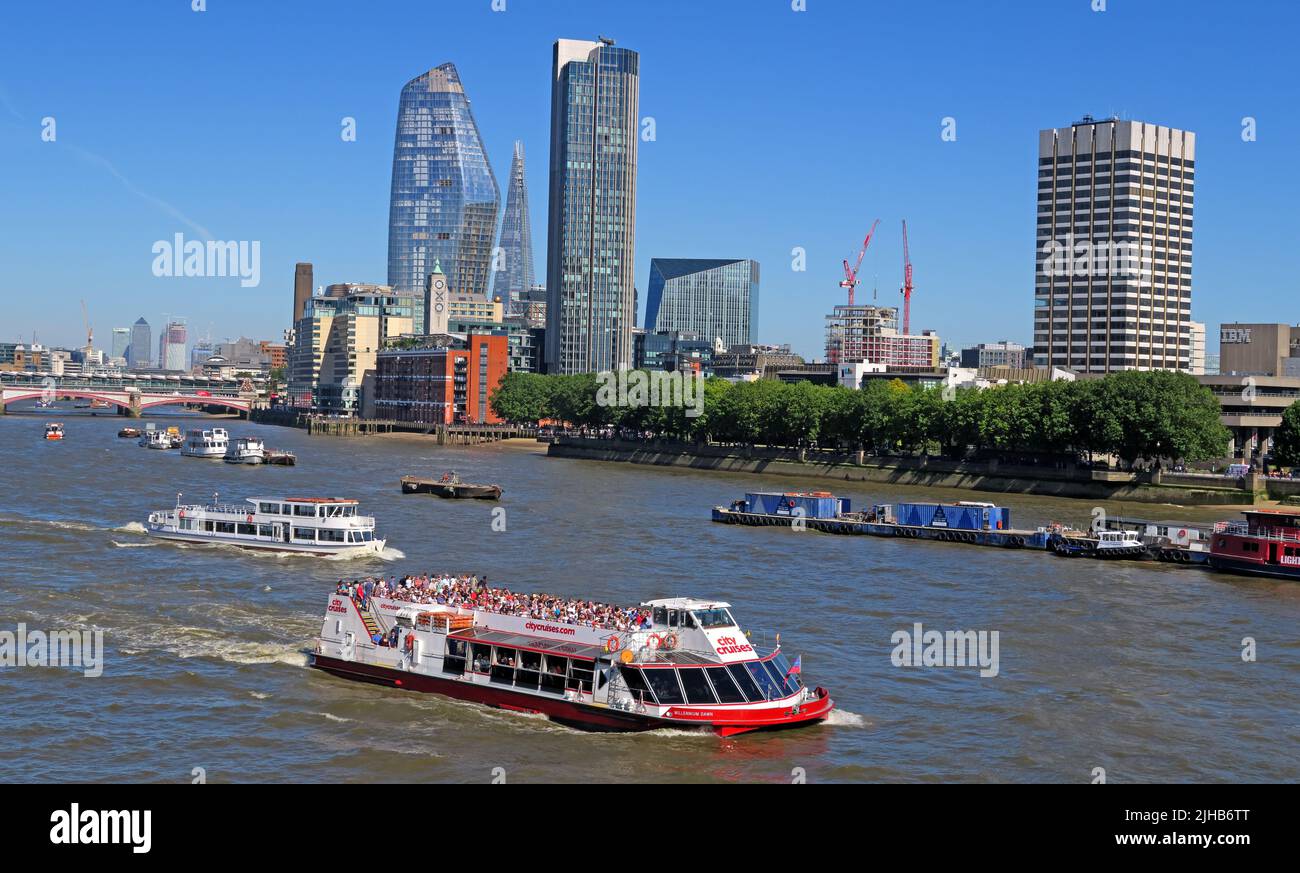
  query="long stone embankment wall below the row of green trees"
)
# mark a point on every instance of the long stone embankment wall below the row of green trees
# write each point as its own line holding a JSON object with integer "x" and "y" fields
{"x": 1067, "y": 483}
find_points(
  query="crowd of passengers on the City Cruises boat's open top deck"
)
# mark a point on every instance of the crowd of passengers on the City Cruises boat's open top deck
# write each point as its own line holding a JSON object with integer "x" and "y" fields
{"x": 474, "y": 593}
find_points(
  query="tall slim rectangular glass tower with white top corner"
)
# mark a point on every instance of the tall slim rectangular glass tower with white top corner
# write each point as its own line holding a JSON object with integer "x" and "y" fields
{"x": 592, "y": 212}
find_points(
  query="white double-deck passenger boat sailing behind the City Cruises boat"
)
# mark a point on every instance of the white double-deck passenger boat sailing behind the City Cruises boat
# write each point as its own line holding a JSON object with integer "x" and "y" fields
{"x": 306, "y": 525}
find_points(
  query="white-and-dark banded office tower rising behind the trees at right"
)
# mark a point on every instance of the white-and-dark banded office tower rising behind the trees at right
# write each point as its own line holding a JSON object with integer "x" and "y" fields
{"x": 1113, "y": 280}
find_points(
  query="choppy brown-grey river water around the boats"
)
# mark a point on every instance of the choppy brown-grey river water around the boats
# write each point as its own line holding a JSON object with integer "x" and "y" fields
{"x": 1133, "y": 668}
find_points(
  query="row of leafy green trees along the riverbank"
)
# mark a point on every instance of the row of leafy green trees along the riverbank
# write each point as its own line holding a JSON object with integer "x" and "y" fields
{"x": 1133, "y": 415}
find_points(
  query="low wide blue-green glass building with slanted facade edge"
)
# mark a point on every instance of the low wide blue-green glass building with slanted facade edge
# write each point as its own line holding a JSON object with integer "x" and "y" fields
{"x": 713, "y": 299}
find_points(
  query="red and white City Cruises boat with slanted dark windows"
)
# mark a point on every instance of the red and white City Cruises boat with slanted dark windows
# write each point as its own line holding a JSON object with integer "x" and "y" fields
{"x": 694, "y": 668}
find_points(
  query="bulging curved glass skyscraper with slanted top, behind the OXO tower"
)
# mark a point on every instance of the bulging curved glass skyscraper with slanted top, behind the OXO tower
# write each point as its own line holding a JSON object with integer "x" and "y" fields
{"x": 445, "y": 199}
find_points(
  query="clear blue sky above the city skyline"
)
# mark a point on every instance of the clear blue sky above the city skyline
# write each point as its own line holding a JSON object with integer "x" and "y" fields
{"x": 774, "y": 129}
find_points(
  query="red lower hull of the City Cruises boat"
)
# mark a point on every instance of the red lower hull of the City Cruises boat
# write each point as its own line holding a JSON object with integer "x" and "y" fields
{"x": 582, "y": 716}
